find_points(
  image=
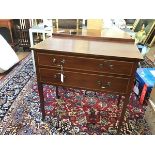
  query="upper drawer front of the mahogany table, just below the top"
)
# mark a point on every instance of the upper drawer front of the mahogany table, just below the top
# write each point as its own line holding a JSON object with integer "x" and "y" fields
{"x": 87, "y": 64}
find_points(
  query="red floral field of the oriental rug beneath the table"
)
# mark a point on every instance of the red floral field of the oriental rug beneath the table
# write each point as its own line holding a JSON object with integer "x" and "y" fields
{"x": 93, "y": 112}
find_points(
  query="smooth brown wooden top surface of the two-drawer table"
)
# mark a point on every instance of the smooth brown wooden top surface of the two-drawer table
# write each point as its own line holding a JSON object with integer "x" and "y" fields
{"x": 90, "y": 47}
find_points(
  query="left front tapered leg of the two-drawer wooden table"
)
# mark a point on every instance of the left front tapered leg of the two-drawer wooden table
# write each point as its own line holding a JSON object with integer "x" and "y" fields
{"x": 41, "y": 95}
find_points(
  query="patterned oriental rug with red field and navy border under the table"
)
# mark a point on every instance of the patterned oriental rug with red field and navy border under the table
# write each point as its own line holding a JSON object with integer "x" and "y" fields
{"x": 78, "y": 112}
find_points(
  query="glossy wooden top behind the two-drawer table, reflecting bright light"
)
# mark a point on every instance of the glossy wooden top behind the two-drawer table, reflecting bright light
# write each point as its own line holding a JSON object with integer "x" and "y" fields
{"x": 110, "y": 34}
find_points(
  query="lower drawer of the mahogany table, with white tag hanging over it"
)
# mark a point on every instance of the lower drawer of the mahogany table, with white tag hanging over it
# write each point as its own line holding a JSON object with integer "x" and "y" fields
{"x": 85, "y": 81}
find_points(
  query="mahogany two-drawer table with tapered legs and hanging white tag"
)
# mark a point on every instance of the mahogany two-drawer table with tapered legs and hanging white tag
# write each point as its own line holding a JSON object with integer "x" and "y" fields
{"x": 106, "y": 66}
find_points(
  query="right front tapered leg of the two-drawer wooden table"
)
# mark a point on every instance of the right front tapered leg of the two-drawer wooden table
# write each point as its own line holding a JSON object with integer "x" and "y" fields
{"x": 125, "y": 103}
